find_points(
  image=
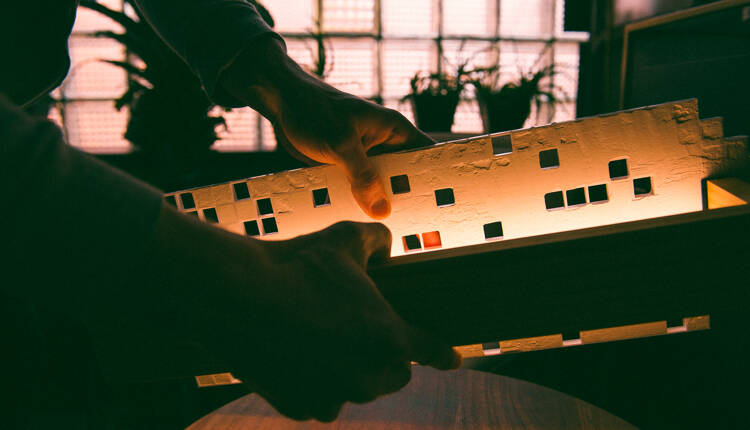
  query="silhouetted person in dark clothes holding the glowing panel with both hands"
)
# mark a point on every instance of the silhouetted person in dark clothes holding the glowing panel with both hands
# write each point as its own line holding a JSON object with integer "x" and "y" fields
{"x": 299, "y": 321}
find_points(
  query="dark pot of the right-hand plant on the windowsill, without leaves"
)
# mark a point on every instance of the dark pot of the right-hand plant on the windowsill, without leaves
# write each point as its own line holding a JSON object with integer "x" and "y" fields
{"x": 503, "y": 111}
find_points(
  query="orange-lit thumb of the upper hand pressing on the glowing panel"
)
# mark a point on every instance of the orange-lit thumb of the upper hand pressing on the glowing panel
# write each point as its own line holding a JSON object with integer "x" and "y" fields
{"x": 366, "y": 184}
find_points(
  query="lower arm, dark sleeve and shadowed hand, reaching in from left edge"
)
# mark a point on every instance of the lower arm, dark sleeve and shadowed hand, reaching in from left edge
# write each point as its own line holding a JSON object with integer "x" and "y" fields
{"x": 299, "y": 321}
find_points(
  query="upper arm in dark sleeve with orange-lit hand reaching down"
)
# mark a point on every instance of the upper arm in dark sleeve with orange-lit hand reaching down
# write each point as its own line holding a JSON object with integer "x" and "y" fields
{"x": 249, "y": 66}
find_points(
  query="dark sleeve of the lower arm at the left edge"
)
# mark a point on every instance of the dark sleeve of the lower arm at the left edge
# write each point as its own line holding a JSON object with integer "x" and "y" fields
{"x": 77, "y": 233}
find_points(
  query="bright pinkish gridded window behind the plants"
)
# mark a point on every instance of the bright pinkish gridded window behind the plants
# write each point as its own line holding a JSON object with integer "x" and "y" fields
{"x": 373, "y": 47}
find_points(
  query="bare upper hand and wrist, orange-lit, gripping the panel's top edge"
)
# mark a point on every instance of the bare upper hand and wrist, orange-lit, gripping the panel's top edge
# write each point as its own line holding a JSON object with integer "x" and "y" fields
{"x": 320, "y": 123}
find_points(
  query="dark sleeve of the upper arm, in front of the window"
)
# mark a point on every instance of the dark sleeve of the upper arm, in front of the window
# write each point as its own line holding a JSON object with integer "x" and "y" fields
{"x": 207, "y": 34}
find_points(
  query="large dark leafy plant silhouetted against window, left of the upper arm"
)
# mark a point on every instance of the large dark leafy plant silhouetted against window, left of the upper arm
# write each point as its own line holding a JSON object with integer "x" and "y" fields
{"x": 170, "y": 115}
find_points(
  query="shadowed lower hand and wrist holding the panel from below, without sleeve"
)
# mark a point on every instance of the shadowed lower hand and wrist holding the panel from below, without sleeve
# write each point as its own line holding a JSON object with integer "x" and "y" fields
{"x": 299, "y": 321}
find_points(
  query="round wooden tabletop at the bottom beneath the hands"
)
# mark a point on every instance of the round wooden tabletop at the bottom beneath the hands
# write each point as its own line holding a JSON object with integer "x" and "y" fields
{"x": 462, "y": 399}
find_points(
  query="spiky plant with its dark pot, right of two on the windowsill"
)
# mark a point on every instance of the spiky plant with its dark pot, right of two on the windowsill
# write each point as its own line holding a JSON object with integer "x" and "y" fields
{"x": 507, "y": 106}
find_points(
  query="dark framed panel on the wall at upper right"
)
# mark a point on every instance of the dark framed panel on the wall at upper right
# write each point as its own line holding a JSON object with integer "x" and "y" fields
{"x": 706, "y": 56}
